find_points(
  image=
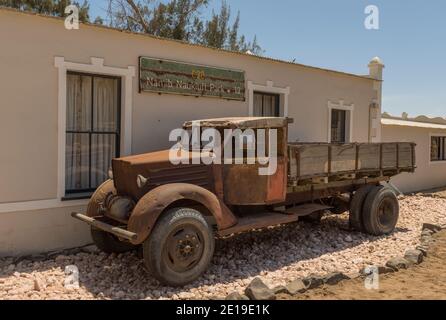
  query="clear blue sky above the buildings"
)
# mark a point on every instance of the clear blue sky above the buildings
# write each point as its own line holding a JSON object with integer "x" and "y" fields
{"x": 331, "y": 34}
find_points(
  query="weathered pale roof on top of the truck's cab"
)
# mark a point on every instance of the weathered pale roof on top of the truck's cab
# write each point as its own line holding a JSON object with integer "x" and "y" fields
{"x": 241, "y": 123}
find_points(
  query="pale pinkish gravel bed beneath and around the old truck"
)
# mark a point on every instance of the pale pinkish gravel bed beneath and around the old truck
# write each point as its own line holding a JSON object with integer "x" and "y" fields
{"x": 277, "y": 255}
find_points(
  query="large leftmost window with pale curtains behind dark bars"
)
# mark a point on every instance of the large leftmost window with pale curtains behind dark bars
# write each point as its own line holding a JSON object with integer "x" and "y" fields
{"x": 92, "y": 130}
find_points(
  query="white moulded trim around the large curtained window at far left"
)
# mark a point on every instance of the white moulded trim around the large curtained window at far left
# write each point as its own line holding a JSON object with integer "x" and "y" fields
{"x": 96, "y": 67}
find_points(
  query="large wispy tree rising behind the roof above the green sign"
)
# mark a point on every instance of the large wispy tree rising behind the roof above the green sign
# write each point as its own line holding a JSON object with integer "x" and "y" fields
{"x": 181, "y": 20}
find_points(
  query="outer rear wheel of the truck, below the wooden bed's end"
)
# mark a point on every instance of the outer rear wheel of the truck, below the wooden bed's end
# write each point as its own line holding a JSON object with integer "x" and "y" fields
{"x": 381, "y": 211}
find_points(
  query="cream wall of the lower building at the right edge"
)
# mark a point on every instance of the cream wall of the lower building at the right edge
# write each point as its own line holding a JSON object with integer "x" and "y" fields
{"x": 428, "y": 174}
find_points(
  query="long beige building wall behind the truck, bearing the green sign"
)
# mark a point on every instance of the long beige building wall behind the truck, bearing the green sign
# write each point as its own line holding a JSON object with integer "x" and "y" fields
{"x": 29, "y": 108}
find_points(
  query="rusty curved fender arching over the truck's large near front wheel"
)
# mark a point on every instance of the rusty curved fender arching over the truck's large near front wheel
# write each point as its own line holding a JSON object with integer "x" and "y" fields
{"x": 152, "y": 205}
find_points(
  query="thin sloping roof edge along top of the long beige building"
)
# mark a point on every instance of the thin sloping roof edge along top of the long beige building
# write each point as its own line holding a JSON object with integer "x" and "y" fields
{"x": 250, "y": 55}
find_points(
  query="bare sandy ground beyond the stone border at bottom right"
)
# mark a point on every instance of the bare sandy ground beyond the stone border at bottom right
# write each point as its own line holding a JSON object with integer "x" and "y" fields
{"x": 423, "y": 282}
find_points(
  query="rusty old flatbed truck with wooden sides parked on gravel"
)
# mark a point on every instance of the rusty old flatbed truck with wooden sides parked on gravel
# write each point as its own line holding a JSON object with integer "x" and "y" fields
{"x": 174, "y": 213}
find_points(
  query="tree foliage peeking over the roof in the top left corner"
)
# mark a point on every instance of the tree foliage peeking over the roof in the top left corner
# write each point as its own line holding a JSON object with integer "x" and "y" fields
{"x": 49, "y": 7}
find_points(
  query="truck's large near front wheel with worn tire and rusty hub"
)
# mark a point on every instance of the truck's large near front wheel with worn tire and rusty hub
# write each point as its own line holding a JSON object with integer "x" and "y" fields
{"x": 180, "y": 247}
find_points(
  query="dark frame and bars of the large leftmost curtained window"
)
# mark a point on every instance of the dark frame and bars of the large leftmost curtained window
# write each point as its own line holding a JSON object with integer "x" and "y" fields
{"x": 86, "y": 193}
